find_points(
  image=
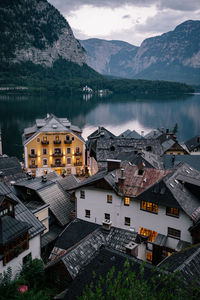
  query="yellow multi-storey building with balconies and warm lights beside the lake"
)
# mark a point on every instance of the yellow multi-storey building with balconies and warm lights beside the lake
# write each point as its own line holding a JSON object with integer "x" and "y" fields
{"x": 54, "y": 144}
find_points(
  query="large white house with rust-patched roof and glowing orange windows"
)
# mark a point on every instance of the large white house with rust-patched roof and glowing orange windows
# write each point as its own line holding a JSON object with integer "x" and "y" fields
{"x": 160, "y": 204}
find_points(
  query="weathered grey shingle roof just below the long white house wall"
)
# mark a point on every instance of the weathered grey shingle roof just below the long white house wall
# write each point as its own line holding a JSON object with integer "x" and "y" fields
{"x": 81, "y": 254}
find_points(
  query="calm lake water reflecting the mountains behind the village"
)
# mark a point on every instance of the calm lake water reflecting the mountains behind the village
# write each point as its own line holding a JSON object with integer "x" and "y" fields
{"x": 116, "y": 113}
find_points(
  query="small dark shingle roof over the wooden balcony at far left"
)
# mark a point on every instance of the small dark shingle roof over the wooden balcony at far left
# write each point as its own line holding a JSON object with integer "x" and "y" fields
{"x": 11, "y": 228}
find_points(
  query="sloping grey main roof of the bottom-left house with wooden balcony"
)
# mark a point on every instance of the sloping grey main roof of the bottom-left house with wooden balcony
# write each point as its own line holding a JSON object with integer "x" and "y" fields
{"x": 22, "y": 213}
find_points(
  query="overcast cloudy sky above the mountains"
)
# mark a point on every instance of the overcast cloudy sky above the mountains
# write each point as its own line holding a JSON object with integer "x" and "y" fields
{"x": 127, "y": 20}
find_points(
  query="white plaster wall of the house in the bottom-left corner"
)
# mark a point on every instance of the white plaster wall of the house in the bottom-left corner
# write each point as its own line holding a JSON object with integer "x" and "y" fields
{"x": 16, "y": 263}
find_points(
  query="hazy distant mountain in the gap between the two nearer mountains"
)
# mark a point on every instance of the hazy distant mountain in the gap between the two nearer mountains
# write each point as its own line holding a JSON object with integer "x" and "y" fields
{"x": 109, "y": 57}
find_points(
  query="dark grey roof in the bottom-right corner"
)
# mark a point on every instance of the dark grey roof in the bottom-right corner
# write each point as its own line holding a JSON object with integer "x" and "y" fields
{"x": 187, "y": 262}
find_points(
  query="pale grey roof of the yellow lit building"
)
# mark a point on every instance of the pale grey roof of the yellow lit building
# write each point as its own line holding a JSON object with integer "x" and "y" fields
{"x": 52, "y": 124}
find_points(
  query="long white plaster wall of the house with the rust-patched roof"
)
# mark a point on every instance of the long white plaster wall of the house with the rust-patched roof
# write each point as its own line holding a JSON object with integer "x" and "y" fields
{"x": 96, "y": 201}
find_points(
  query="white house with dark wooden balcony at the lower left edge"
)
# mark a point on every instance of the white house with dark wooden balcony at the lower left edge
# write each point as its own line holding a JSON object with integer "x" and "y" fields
{"x": 20, "y": 231}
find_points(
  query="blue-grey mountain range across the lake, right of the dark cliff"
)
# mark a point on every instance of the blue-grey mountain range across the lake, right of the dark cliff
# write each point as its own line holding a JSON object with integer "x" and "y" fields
{"x": 173, "y": 56}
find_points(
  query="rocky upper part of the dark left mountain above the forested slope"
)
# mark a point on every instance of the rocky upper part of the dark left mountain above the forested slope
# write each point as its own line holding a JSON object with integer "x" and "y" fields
{"x": 33, "y": 30}
